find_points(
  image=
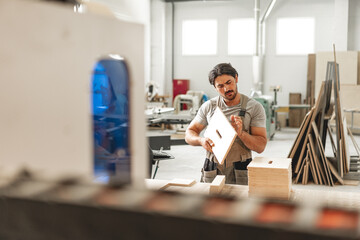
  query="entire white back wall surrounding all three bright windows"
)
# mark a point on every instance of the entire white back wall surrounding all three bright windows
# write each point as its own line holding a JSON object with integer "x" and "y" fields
{"x": 288, "y": 71}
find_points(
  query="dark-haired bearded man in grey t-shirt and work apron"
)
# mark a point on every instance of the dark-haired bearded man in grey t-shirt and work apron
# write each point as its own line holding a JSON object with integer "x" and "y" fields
{"x": 246, "y": 115}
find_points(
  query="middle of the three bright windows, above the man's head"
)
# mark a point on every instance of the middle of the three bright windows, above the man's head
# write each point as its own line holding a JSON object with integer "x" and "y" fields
{"x": 241, "y": 36}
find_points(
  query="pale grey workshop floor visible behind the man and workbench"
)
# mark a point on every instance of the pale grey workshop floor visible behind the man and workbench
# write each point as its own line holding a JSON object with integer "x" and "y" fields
{"x": 189, "y": 159}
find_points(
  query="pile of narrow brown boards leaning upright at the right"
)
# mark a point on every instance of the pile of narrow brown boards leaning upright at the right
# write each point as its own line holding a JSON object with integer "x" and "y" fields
{"x": 308, "y": 155}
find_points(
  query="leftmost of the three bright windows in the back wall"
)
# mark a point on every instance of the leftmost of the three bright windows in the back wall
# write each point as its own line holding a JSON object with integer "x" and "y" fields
{"x": 199, "y": 37}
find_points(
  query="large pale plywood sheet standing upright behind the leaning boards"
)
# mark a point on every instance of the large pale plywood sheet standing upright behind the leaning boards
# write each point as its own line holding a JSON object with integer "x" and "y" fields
{"x": 348, "y": 67}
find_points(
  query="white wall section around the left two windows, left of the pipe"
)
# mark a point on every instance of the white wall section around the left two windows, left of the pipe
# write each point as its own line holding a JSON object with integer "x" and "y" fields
{"x": 196, "y": 68}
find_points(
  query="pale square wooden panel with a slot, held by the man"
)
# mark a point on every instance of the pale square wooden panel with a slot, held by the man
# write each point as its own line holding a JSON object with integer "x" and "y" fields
{"x": 221, "y": 132}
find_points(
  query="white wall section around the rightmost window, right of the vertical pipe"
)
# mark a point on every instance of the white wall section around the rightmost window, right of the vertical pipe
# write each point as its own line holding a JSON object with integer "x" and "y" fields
{"x": 290, "y": 72}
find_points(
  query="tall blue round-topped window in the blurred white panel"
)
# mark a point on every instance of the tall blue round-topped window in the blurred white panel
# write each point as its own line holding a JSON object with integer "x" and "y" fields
{"x": 110, "y": 110}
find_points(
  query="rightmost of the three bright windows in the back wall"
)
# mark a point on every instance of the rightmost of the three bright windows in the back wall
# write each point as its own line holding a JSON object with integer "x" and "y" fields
{"x": 295, "y": 36}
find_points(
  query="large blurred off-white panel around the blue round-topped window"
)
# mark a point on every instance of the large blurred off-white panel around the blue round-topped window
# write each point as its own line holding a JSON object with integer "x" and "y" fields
{"x": 47, "y": 57}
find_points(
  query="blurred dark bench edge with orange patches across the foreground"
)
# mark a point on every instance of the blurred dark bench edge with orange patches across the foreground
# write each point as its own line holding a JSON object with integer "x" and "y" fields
{"x": 35, "y": 209}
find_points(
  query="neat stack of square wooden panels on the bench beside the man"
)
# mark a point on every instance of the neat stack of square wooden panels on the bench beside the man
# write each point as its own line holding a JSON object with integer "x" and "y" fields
{"x": 270, "y": 177}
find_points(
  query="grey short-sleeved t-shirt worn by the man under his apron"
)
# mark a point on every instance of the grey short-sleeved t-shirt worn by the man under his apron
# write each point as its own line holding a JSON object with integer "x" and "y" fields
{"x": 254, "y": 117}
